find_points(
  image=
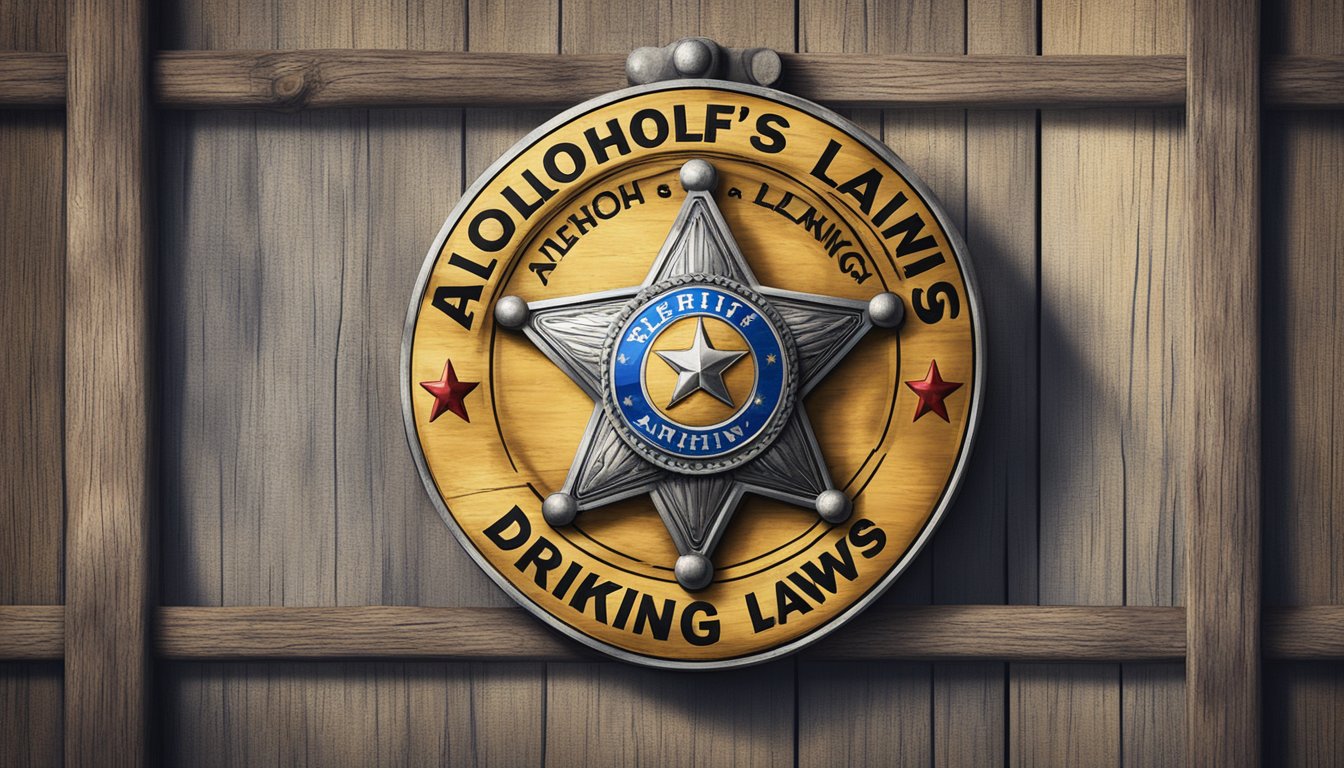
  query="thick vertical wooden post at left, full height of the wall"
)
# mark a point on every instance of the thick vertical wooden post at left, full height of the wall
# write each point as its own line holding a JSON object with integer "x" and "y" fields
{"x": 108, "y": 442}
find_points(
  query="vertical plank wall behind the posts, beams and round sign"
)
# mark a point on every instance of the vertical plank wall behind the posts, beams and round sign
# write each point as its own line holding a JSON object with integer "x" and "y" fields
{"x": 287, "y": 251}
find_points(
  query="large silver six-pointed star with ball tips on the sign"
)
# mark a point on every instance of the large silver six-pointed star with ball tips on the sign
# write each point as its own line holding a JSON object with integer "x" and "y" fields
{"x": 697, "y": 501}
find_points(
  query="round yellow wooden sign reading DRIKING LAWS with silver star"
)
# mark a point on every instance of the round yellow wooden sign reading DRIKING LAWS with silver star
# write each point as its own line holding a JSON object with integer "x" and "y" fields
{"x": 693, "y": 372}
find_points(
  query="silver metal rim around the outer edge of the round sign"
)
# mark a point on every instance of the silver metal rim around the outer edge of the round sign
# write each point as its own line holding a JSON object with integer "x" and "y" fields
{"x": 954, "y": 486}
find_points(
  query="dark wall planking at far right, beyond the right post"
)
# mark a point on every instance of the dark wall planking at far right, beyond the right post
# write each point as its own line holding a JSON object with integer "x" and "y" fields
{"x": 1302, "y": 367}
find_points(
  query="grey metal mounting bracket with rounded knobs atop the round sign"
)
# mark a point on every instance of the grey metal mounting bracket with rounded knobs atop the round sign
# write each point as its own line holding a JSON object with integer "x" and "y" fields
{"x": 704, "y": 59}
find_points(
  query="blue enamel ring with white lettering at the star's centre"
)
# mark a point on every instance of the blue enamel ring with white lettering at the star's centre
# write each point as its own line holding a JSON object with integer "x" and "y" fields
{"x": 659, "y": 430}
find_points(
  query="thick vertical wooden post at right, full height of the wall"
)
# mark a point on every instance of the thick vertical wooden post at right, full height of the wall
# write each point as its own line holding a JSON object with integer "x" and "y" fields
{"x": 1224, "y": 540}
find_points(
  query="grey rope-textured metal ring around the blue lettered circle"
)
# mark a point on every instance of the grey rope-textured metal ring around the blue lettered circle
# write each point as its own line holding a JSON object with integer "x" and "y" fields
{"x": 764, "y": 439}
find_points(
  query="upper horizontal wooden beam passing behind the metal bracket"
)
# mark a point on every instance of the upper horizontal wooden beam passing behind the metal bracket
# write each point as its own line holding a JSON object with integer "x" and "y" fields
{"x": 330, "y": 79}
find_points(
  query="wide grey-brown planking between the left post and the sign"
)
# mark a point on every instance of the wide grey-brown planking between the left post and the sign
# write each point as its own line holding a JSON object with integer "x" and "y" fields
{"x": 292, "y": 247}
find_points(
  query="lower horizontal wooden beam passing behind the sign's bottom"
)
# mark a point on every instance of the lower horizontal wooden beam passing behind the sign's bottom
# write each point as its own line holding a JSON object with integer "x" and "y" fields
{"x": 1011, "y": 633}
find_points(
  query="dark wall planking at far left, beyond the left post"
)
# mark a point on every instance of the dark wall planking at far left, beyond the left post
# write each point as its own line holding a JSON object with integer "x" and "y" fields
{"x": 33, "y": 259}
